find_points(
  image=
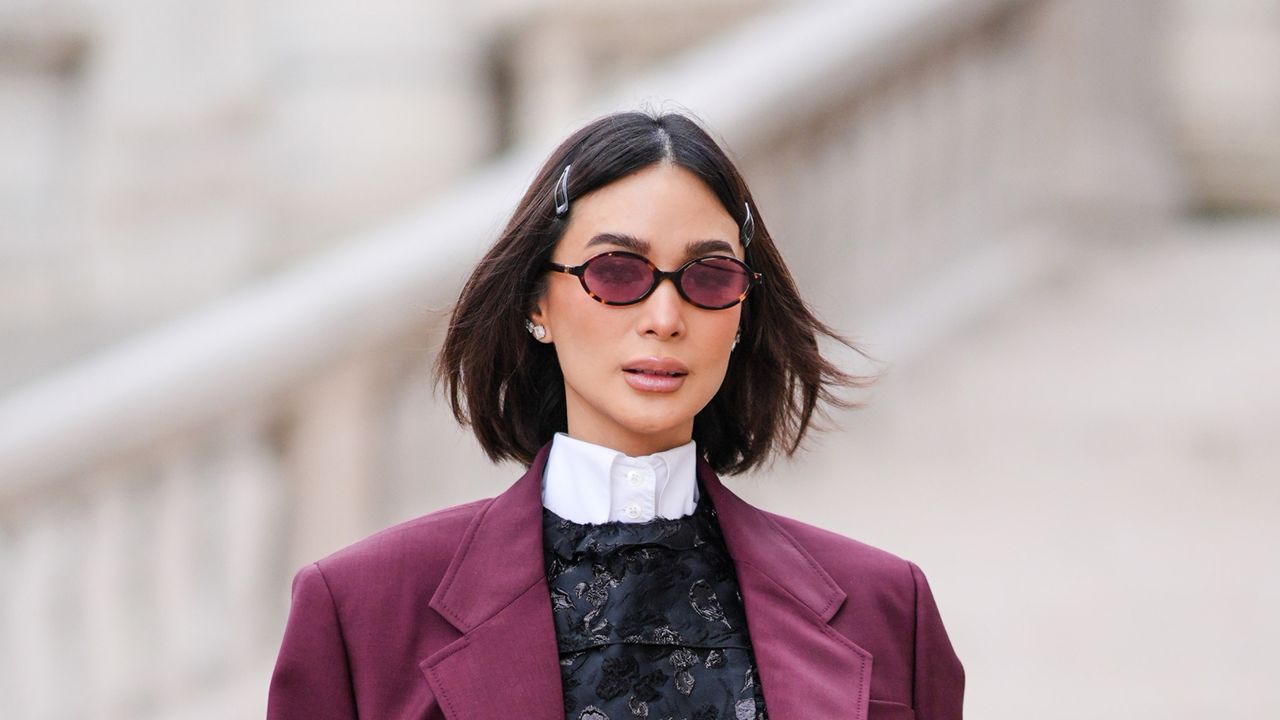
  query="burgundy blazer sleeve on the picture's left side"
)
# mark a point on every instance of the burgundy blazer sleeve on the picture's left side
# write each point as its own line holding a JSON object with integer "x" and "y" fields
{"x": 313, "y": 677}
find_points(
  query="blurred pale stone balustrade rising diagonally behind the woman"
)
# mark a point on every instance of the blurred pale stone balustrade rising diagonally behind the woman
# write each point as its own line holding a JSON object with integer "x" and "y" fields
{"x": 917, "y": 160}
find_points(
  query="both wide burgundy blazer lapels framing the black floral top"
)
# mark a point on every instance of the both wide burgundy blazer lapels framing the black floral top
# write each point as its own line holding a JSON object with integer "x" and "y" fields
{"x": 506, "y": 663}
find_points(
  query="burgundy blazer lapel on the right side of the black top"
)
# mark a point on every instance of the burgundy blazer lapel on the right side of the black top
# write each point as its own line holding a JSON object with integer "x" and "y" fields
{"x": 807, "y": 668}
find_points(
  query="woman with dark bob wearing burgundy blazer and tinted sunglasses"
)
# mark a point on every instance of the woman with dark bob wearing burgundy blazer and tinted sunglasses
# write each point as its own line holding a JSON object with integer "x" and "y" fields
{"x": 633, "y": 334}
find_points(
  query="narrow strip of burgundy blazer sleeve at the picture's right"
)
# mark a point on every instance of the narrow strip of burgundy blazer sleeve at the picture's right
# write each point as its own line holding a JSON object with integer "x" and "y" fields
{"x": 939, "y": 689}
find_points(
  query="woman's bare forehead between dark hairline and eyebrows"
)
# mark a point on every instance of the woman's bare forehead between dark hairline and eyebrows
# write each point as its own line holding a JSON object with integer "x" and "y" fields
{"x": 666, "y": 207}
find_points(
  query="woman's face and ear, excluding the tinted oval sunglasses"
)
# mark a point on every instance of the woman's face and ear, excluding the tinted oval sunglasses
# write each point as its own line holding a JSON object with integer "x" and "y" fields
{"x": 616, "y": 359}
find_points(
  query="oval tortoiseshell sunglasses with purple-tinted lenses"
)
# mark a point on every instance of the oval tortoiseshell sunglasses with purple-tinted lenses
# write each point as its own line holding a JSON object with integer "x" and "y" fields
{"x": 714, "y": 282}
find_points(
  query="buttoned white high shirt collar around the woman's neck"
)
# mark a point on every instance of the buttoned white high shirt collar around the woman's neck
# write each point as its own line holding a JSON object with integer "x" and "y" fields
{"x": 589, "y": 484}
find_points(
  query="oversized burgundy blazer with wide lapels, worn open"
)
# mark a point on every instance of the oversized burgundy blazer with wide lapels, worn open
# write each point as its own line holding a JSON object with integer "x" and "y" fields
{"x": 450, "y": 617}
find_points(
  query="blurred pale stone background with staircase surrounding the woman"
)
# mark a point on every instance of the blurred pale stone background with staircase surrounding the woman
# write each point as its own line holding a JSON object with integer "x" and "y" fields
{"x": 230, "y": 234}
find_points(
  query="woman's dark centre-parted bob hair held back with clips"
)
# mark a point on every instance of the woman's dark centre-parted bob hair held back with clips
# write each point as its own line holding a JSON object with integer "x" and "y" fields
{"x": 509, "y": 388}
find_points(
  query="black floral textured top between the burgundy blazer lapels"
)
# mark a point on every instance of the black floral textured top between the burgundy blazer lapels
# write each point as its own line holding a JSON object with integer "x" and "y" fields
{"x": 650, "y": 621}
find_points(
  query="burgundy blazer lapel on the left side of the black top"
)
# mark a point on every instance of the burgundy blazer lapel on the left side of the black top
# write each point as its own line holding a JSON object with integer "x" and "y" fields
{"x": 506, "y": 664}
